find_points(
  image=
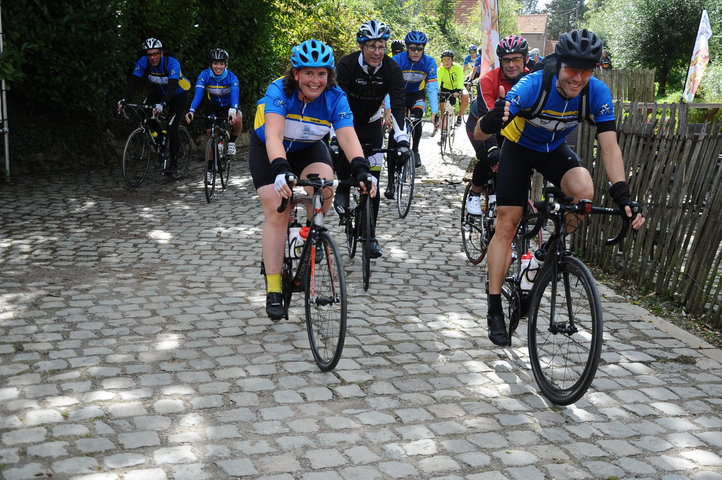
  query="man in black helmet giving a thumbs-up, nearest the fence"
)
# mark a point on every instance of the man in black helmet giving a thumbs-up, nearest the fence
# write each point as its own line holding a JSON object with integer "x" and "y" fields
{"x": 538, "y": 143}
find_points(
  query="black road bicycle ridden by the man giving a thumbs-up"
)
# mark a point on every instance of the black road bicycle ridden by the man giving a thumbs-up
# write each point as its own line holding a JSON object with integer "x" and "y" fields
{"x": 565, "y": 325}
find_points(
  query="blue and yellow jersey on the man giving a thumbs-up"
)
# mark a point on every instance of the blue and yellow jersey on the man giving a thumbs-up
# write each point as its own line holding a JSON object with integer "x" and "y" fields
{"x": 558, "y": 116}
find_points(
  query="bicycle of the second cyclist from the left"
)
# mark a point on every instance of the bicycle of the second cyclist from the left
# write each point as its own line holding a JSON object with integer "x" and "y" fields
{"x": 218, "y": 162}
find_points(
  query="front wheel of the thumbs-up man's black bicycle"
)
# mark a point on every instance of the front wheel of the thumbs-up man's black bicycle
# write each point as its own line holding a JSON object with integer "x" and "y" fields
{"x": 564, "y": 364}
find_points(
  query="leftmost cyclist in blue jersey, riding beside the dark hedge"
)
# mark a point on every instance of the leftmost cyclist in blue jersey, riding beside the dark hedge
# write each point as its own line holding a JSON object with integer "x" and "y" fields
{"x": 170, "y": 91}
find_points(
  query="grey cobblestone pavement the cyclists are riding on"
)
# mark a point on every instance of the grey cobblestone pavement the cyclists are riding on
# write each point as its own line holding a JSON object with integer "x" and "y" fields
{"x": 134, "y": 345}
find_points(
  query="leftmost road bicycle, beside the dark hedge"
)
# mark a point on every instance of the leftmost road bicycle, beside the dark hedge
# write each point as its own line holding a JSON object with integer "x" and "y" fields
{"x": 148, "y": 142}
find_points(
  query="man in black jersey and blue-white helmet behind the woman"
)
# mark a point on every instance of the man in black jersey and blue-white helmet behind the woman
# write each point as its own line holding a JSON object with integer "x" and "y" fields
{"x": 367, "y": 76}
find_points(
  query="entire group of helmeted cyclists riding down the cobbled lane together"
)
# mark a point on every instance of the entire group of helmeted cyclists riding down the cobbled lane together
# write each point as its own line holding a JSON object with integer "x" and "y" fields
{"x": 350, "y": 100}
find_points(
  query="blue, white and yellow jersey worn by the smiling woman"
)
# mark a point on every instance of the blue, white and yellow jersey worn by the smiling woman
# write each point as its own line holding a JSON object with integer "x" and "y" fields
{"x": 305, "y": 122}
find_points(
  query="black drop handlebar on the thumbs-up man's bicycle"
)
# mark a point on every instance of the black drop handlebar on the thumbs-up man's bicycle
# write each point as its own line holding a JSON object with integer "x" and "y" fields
{"x": 550, "y": 207}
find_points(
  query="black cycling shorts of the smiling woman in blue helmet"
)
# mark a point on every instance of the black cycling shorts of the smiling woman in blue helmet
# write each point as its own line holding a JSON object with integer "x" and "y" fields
{"x": 261, "y": 167}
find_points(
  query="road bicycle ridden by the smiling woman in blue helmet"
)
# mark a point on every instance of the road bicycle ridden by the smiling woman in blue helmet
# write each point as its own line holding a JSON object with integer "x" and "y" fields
{"x": 316, "y": 269}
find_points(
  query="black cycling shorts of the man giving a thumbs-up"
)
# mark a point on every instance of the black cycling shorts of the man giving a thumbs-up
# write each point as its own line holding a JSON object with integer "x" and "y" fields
{"x": 517, "y": 163}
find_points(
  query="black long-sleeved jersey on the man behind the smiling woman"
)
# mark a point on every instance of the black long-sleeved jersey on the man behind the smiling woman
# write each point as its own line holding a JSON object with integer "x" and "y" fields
{"x": 367, "y": 87}
